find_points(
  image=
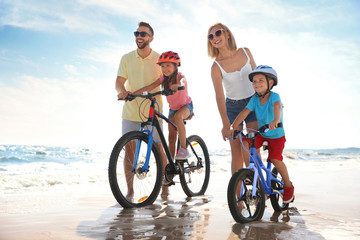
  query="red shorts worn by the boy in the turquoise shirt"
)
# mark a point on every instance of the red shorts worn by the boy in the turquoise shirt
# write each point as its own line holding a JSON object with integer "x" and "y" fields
{"x": 276, "y": 146}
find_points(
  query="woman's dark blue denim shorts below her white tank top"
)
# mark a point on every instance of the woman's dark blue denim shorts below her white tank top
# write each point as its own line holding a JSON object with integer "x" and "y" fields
{"x": 234, "y": 107}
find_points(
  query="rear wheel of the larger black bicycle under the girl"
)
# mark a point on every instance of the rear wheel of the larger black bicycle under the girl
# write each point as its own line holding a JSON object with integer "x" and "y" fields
{"x": 195, "y": 174}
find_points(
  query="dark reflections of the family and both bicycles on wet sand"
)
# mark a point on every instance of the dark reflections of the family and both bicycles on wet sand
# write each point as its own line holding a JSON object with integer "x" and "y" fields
{"x": 190, "y": 219}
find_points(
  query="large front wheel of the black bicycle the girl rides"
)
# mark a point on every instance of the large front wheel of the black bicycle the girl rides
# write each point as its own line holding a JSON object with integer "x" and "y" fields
{"x": 132, "y": 183}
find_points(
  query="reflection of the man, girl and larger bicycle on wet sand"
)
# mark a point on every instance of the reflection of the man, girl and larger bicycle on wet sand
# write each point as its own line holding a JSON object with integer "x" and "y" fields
{"x": 173, "y": 219}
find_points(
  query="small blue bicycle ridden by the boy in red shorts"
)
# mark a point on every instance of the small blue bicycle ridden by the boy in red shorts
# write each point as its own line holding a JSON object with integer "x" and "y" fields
{"x": 249, "y": 189}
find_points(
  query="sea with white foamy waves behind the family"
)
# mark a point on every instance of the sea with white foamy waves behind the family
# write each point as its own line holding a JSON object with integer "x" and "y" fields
{"x": 33, "y": 167}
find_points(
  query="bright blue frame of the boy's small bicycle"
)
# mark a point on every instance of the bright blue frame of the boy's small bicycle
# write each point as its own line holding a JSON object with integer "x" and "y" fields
{"x": 256, "y": 165}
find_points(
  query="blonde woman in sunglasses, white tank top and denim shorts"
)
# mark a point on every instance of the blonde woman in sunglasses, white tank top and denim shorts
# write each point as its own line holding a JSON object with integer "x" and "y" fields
{"x": 230, "y": 71}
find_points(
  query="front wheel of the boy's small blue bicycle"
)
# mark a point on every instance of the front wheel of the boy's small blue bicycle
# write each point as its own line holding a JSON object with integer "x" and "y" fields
{"x": 244, "y": 209}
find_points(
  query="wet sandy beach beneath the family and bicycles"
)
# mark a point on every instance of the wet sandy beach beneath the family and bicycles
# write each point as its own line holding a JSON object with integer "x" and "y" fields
{"x": 326, "y": 207}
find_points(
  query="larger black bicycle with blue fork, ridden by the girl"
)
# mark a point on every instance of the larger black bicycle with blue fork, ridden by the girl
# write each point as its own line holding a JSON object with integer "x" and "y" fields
{"x": 136, "y": 165}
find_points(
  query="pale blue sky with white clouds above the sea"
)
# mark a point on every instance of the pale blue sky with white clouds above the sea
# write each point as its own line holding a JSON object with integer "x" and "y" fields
{"x": 59, "y": 60}
